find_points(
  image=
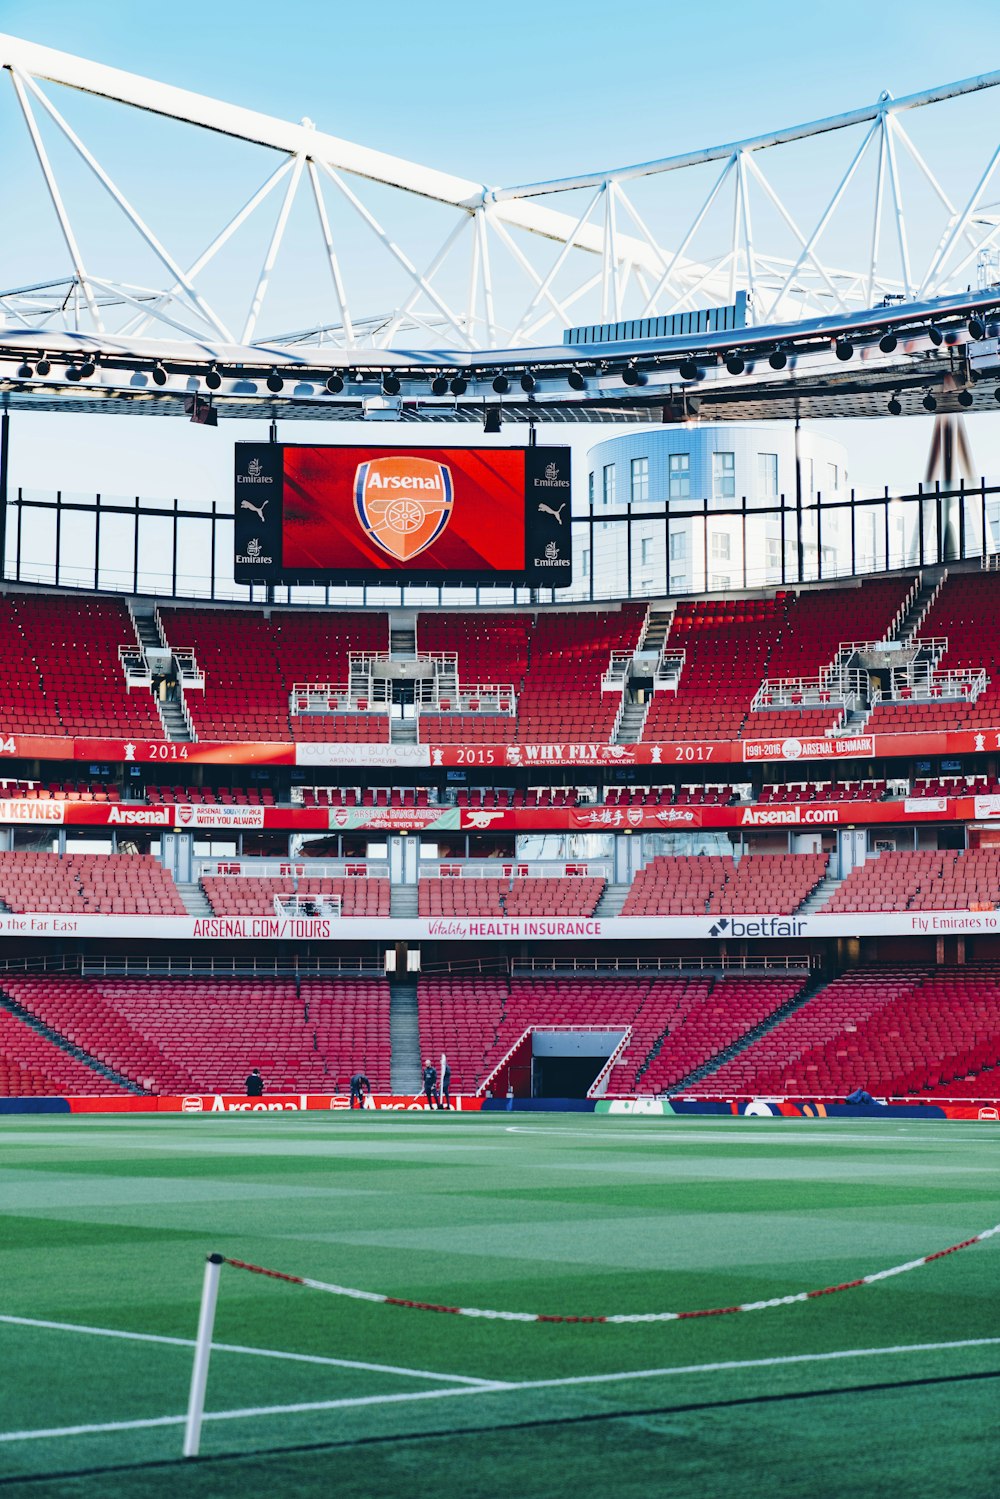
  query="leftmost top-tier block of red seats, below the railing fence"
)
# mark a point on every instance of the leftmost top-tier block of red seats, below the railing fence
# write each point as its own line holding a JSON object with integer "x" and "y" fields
{"x": 62, "y": 674}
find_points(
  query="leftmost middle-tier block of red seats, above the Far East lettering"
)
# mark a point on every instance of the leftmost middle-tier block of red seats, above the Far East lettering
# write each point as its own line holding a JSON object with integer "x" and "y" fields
{"x": 89, "y": 885}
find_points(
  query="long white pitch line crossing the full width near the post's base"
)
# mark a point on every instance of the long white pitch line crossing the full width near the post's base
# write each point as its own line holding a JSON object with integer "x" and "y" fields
{"x": 254, "y": 1413}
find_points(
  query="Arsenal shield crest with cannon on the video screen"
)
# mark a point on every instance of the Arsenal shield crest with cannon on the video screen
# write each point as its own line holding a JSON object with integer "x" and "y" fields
{"x": 404, "y": 503}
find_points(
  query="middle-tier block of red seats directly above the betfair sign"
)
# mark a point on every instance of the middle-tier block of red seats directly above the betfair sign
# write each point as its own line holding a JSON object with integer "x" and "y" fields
{"x": 698, "y": 885}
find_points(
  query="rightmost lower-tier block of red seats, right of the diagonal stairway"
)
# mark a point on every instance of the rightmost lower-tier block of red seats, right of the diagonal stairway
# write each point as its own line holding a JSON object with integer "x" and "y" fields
{"x": 897, "y": 1032}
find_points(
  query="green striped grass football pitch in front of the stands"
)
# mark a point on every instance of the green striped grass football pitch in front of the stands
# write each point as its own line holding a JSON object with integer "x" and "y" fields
{"x": 891, "y": 1389}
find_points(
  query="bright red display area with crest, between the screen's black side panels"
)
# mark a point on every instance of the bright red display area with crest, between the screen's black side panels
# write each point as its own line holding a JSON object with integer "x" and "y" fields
{"x": 428, "y": 510}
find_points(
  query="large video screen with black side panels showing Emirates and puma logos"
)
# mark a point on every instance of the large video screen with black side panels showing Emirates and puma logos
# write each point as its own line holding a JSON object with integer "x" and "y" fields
{"x": 361, "y": 515}
